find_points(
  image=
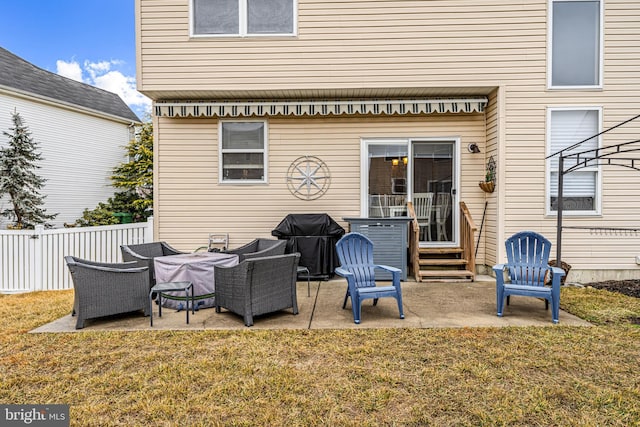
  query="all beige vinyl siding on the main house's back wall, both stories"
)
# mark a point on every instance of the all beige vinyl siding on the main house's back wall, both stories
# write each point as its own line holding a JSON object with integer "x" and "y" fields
{"x": 393, "y": 48}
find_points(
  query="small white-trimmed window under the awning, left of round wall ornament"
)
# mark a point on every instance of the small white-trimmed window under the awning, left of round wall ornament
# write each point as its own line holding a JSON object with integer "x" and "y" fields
{"x": 243, "y": 152}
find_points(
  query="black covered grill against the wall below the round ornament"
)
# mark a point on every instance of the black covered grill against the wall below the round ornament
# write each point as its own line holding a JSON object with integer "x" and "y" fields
{"x": 314, "y": 236}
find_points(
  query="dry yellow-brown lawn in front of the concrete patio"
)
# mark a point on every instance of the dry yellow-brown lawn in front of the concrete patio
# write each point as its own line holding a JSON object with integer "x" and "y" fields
{"x": 533, "y": 376}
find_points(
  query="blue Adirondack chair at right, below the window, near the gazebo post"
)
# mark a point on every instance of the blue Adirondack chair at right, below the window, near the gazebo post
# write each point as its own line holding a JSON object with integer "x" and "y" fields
{"x": 528, "y": 270}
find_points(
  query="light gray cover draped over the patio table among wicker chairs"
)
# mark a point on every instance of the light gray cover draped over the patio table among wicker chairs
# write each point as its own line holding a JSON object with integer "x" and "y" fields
{"x": 196, "y": 268}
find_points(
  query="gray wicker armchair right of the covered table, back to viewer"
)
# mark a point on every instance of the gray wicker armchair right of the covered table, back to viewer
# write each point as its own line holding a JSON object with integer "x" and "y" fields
{"x": 258, "y": 286}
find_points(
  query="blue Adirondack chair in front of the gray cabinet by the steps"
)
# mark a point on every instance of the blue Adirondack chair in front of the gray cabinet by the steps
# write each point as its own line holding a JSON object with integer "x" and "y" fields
{"x": 355, "y": 252}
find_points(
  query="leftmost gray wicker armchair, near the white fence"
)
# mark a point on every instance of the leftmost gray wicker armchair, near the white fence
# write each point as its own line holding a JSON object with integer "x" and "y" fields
{"x": 104, "y": 289}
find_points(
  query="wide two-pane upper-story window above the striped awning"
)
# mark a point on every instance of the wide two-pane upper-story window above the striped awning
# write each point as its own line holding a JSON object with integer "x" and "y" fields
{"x": 243, "y": 17}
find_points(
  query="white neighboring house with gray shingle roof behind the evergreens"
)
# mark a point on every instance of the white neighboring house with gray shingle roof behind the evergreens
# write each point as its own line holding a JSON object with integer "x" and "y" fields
{"x": 81, "y": 131}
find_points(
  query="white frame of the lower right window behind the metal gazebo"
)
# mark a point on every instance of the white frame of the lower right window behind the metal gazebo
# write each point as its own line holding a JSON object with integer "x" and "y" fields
{"x": 597, "y": 211}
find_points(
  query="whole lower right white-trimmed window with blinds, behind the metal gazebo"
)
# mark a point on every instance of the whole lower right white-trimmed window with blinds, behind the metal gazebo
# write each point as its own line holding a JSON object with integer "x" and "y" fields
{"x": 581, "y": 187}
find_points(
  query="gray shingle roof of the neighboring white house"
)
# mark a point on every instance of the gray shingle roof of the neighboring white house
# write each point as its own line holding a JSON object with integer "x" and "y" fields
{"x": 18, "y": 74}
